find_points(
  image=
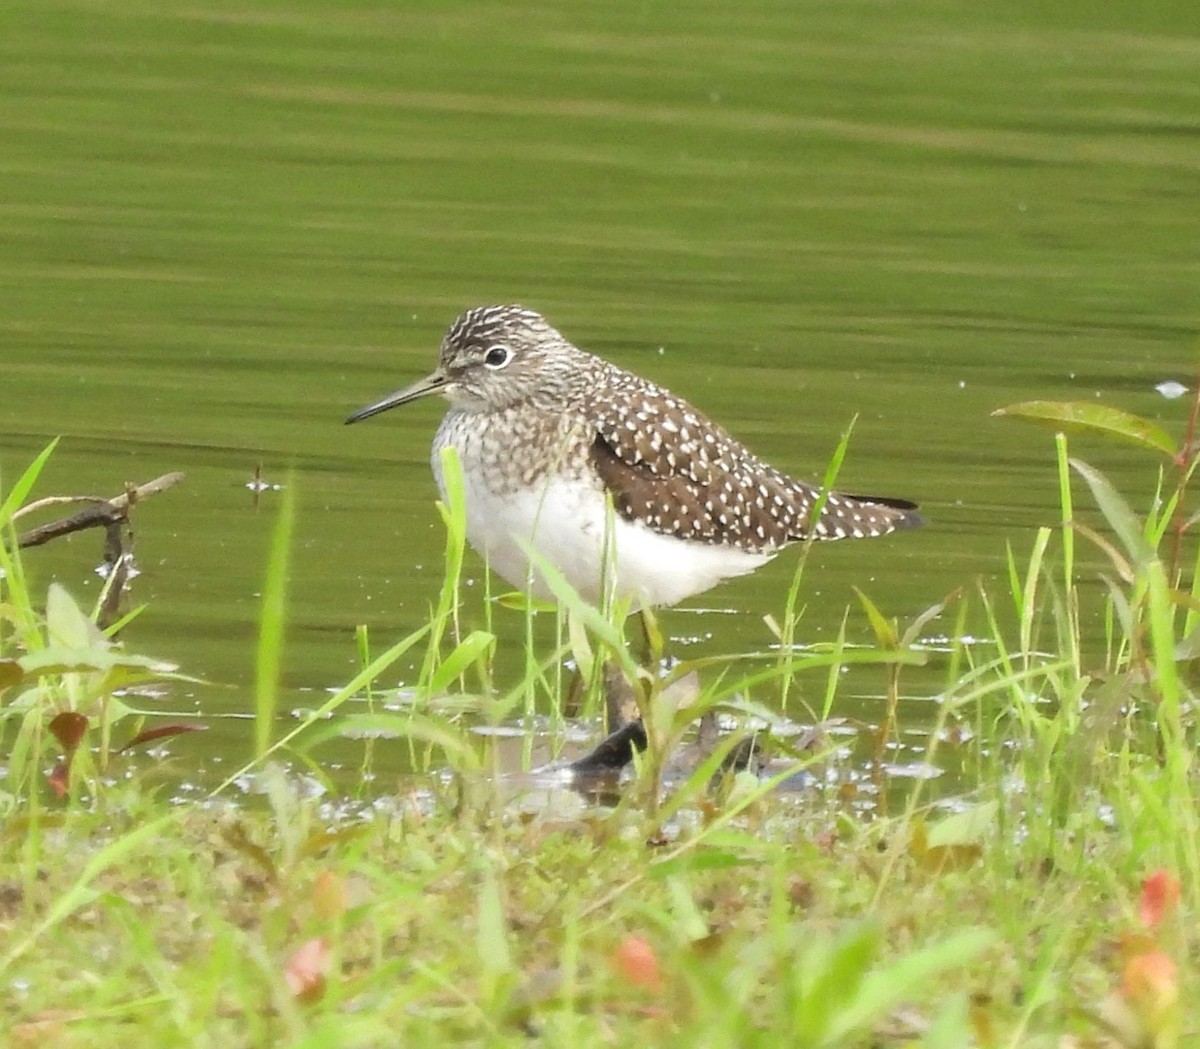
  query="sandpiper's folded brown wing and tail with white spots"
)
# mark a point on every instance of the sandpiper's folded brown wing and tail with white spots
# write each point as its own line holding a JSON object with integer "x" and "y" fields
{"x": 681, "y": 475}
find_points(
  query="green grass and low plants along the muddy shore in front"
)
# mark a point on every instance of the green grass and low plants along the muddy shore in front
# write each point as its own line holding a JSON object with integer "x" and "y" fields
{"x": 1049, "y": 902}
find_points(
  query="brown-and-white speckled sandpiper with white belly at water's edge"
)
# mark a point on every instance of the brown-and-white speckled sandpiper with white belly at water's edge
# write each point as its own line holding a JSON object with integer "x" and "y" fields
{"x": 625, "y": 488}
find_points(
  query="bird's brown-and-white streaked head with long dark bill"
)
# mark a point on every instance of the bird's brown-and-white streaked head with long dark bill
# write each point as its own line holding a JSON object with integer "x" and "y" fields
{"x": 493, "y": 357}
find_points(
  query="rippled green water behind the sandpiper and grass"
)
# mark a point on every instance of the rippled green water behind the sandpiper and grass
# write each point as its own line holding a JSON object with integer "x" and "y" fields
{"x": 225, "y": 226}
